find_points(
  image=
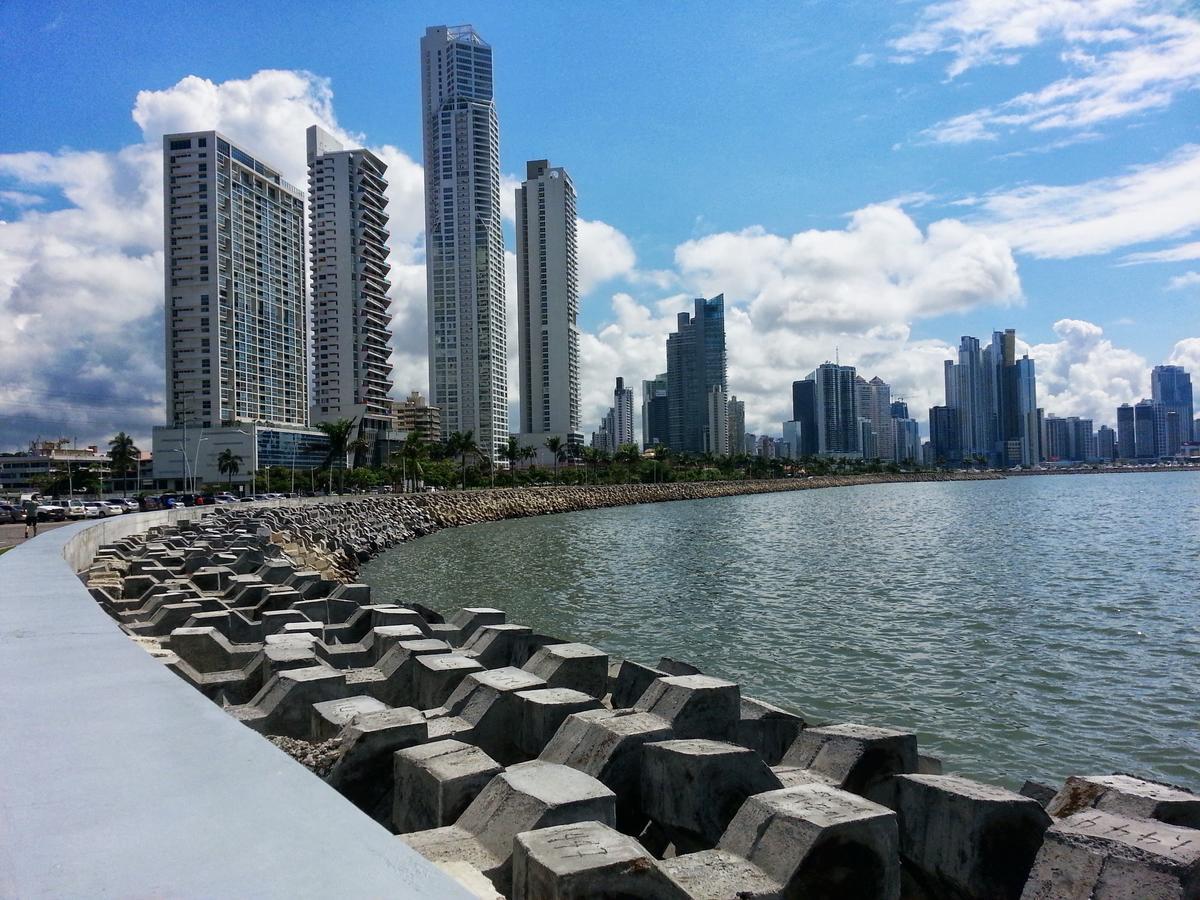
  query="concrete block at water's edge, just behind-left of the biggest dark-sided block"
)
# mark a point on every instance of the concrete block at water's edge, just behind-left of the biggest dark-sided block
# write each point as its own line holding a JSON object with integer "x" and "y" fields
{"x": 860, "y": 759}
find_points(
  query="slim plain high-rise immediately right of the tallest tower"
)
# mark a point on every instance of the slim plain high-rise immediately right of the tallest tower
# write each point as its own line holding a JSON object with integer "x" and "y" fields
{"x": 548, "y": 305}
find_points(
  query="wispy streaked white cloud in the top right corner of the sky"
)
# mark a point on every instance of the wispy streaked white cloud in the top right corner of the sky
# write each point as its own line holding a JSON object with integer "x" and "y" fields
{"x": 1123, "y": 58}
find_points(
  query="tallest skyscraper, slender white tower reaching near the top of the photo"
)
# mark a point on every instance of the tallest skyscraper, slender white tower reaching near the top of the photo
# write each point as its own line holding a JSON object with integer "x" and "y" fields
{"x": 465, "y": 244}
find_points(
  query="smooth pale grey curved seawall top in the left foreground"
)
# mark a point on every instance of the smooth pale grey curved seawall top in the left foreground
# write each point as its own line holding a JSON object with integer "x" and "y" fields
{"x": 118, "y": 779}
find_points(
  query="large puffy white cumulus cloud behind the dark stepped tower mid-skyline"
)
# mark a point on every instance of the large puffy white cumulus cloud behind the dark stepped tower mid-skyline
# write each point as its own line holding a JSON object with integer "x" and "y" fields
{"x": 795, "y": 302}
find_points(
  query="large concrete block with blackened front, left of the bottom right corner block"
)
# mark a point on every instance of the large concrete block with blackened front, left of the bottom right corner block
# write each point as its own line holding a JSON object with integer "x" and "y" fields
{"x": 963, "y": 839}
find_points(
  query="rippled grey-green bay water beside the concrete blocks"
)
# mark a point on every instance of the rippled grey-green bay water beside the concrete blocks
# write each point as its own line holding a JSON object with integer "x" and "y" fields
{"x": 1029, "y": 628}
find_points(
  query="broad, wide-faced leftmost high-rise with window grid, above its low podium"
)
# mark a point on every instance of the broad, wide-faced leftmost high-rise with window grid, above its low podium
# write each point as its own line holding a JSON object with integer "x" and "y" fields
{"x": 236, "y": 321}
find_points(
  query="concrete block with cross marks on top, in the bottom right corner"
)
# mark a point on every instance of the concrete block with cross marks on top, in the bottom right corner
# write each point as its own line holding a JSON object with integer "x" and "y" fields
{"x": 1096, "y": 855}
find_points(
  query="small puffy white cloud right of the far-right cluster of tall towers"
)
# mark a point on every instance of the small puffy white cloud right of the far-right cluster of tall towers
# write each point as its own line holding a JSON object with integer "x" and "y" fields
{"x": 1083, "y": 374}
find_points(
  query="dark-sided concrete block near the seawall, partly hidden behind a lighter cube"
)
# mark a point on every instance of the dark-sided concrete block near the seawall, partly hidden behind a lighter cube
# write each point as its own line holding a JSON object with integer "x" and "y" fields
{"x": 363, "y": 771}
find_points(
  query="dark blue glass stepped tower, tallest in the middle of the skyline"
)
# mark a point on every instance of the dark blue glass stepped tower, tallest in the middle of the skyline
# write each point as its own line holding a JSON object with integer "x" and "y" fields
{"x": 695, "y": 367}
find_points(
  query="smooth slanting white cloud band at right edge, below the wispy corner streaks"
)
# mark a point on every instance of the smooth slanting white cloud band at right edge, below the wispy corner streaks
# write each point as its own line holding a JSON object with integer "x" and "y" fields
{"x": 1147, "y": 203}
